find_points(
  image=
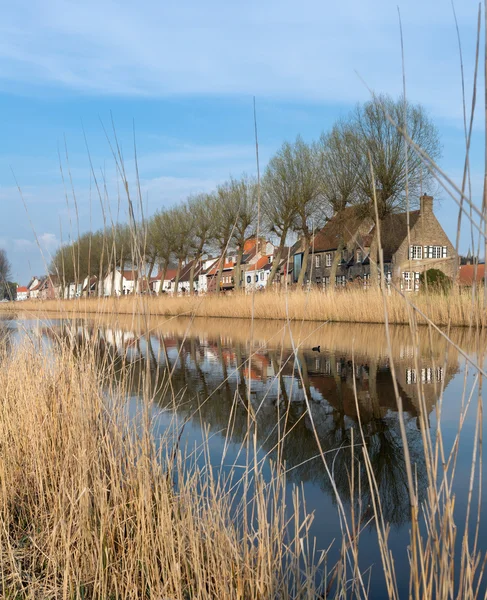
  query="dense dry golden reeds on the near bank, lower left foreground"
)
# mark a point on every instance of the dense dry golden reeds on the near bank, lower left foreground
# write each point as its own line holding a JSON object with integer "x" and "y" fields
{"x": 89, "y": 507}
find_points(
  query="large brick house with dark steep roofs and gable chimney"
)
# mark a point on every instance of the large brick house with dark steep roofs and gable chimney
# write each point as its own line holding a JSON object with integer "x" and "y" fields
{"x": 345, "y": 243}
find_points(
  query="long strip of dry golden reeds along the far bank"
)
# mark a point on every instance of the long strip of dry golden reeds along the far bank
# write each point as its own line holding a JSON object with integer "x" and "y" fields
{"x": 458, "y": 308}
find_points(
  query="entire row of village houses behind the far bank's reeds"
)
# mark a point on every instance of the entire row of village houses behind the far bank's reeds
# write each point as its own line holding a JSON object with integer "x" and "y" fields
{"x": 342, "y": 247}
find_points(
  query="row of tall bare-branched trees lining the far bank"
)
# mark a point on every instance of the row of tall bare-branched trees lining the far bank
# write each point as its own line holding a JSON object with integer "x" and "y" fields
{"x": 361, "y": 157}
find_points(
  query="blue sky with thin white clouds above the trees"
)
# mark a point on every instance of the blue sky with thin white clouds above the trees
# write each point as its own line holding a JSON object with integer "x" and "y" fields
{"x": 175, "y": 82}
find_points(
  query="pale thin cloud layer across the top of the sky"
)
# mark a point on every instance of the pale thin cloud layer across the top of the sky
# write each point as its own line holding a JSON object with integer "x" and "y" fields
{"x": 273, "y": 49}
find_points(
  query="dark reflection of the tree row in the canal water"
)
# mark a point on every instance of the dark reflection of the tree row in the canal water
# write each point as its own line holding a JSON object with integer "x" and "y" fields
{"x": 213, "y": 375}
